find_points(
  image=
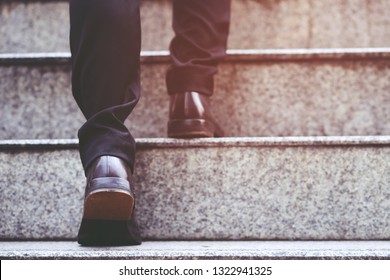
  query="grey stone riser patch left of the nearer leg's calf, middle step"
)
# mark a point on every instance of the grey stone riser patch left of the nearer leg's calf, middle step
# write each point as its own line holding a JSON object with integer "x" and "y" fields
{"x": 37, "y": 103}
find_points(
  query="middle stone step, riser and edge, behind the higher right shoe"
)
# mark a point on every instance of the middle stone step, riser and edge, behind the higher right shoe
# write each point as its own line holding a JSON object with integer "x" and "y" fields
{"x": 300, "y": 92}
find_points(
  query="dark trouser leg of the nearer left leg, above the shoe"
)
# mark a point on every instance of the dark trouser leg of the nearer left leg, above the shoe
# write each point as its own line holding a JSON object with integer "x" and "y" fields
{"x": 105, "y": 41}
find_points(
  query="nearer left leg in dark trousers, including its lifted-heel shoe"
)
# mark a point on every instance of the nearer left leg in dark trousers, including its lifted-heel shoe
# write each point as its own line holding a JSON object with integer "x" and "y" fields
{"x": 105, "y": 46}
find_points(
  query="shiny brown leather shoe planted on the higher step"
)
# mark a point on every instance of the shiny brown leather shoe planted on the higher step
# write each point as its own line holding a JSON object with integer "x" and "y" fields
{"x": 190, "y": 117}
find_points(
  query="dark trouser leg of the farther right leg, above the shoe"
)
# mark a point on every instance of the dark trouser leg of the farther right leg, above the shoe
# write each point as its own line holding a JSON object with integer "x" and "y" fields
{"x": 201, "y": 30}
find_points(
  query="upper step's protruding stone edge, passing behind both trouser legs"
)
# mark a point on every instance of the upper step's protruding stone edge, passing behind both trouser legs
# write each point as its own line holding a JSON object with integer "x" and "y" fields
{"x": 236, "y": 55}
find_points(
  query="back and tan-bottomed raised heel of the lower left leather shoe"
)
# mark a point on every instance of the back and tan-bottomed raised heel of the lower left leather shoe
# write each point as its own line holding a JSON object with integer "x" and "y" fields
{"x": 108, "y": 195}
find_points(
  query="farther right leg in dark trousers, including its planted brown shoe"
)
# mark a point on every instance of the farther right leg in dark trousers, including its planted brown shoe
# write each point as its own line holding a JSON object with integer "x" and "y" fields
{"x": 201, "y": 31}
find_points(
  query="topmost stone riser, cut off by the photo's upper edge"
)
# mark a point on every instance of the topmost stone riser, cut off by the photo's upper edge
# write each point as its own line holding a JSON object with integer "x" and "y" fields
{"x": 43, "y": 26}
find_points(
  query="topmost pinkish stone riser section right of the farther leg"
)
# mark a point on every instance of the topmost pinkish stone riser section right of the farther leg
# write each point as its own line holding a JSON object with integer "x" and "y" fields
{"x": 310, "y": 24}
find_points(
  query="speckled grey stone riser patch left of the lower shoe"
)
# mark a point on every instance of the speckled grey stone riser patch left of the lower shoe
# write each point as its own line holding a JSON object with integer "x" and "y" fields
{"x": 41, "y": 194}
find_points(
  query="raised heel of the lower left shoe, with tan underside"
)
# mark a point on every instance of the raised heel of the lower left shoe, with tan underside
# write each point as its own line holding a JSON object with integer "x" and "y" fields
{"x": 109, "y": 199}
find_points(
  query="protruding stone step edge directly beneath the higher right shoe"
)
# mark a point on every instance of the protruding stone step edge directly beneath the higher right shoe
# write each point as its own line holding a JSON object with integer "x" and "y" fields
{"x": 153, "y": 143}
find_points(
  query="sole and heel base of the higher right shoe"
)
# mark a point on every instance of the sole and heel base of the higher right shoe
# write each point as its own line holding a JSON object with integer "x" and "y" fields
{"x": 192, "y": 128}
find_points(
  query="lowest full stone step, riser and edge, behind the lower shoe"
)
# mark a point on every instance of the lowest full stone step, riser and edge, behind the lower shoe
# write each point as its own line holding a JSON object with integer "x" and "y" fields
{"x": 306, "y": 188}
